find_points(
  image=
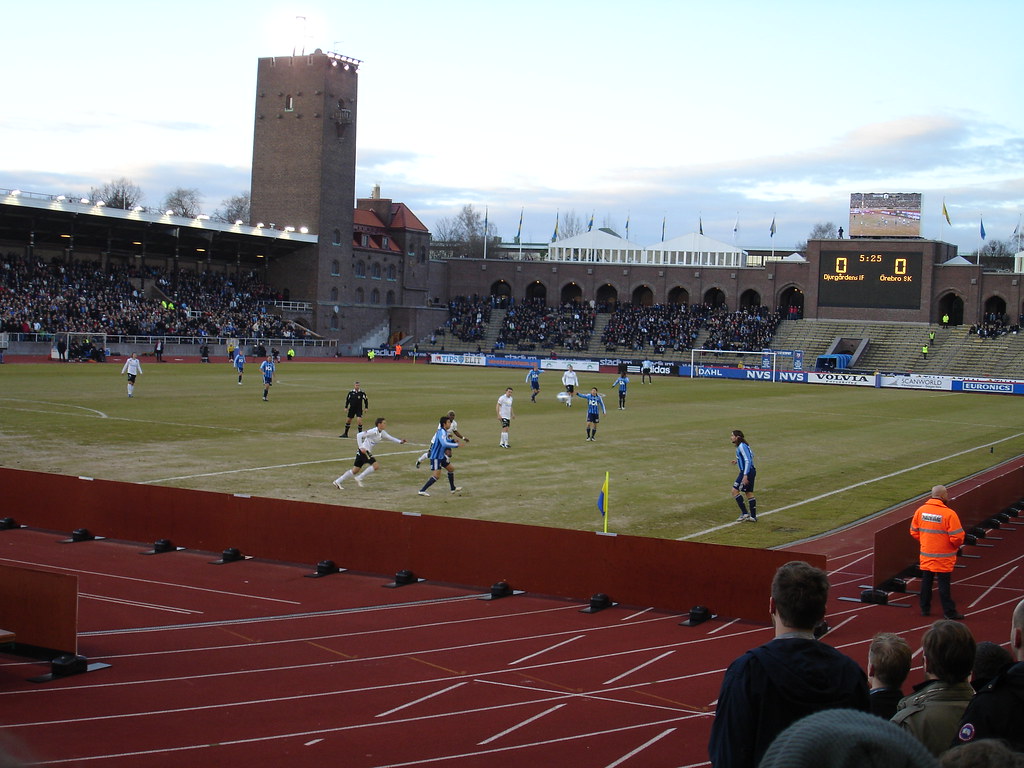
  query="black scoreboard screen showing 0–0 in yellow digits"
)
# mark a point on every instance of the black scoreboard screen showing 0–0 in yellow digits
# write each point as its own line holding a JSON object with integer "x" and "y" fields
{"x": 871, "y": 280}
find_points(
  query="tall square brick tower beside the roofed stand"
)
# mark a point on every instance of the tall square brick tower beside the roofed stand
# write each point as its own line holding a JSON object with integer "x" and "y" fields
{"x": 304, "y": 174}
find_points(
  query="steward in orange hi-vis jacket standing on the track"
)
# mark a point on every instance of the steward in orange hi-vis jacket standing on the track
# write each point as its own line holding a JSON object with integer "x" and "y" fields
{"x": 938, "y": 530}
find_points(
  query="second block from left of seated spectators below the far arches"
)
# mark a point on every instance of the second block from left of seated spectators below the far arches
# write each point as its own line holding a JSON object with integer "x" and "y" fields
{"x": 533, "y": 323}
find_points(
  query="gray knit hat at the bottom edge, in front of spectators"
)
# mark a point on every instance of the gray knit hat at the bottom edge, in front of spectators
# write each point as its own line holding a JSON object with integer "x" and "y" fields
{"x": 846, "y": 739}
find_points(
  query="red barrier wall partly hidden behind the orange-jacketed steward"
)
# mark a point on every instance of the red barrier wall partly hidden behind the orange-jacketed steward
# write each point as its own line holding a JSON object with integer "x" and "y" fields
{"x": 975, "y": 499}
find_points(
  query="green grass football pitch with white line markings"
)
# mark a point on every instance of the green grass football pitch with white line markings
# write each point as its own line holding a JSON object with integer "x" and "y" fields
{"x": 826, "y": 455}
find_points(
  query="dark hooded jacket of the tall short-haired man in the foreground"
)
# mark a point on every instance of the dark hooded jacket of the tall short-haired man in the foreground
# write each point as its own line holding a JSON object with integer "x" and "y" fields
{"x": 771, "y": 688}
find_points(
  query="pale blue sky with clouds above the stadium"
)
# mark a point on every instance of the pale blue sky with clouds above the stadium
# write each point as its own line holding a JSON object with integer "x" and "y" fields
{"x": 682, "y": 111}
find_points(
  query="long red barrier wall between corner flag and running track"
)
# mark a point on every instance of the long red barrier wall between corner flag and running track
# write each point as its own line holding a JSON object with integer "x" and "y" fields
{"x": 636, "y": 571}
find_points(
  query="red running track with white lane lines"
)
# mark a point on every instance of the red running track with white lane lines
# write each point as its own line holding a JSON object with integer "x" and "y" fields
{"x": 254, "y": 663}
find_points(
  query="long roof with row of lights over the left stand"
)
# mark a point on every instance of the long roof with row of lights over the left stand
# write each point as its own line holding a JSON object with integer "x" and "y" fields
{"x": 56, "y": 222}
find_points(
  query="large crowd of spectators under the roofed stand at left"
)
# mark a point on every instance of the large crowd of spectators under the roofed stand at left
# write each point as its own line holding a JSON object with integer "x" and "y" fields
{"x": 84, "y": 297}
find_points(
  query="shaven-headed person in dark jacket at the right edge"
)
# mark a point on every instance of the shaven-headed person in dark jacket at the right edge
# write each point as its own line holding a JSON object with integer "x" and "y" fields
{"x": 998, "y": 709}
